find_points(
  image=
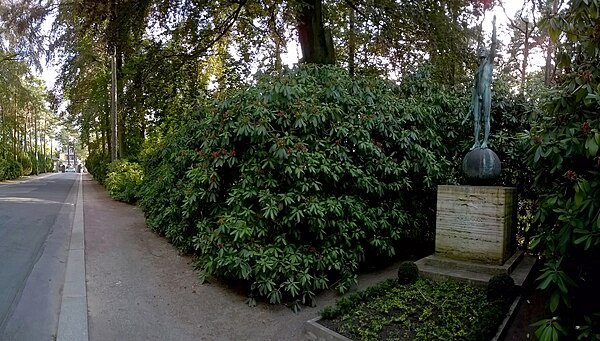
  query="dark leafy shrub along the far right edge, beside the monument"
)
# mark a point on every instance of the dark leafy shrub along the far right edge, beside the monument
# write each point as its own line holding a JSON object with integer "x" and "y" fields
{"x": 563, "y": 152}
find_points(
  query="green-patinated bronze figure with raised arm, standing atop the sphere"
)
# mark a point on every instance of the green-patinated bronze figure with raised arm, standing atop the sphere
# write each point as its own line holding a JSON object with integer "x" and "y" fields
{"x": 481, "y": 101}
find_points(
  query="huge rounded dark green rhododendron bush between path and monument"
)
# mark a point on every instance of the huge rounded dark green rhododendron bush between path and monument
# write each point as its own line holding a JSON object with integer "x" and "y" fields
{"x": 291, "y": 184}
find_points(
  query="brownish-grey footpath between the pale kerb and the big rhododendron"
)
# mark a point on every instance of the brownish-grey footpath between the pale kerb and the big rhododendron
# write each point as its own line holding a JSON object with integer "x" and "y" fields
{"x": 140, "y": 288}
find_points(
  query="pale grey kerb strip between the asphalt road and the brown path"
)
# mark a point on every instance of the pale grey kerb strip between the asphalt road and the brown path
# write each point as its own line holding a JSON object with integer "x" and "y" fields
{"x": 73, "y": 317}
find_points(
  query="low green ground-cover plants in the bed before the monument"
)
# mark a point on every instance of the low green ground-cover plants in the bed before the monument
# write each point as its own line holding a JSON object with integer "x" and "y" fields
{"x": 426, "y": 310}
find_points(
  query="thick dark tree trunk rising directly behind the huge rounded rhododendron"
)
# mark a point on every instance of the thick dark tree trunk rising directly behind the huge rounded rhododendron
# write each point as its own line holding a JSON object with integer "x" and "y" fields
{"x": 316, "y": 43}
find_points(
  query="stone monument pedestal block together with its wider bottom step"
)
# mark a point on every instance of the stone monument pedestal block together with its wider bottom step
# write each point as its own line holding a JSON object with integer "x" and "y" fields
{"x": 475, "y": 238}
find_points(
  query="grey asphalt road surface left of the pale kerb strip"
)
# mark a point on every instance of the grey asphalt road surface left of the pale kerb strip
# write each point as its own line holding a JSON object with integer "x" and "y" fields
{"x": 36, "y": 218}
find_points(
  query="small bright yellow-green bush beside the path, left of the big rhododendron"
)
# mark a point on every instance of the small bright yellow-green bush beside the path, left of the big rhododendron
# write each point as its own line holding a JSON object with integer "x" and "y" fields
{"x": 123, "y": 180}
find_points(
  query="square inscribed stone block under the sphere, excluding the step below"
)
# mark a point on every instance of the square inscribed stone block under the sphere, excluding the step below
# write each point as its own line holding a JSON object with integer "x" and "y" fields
{"x": 476, "y": 223}
